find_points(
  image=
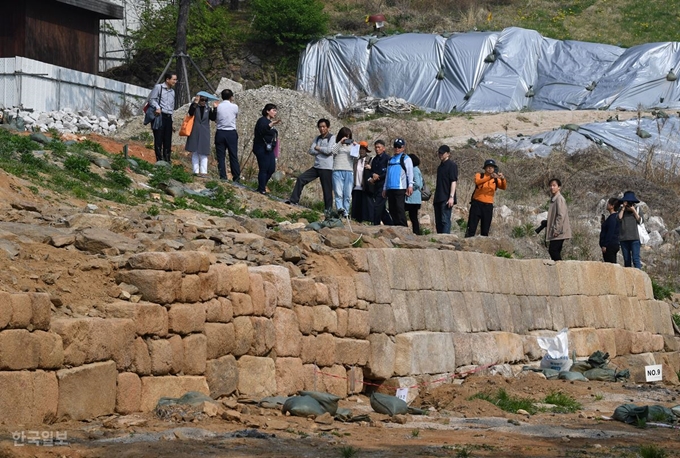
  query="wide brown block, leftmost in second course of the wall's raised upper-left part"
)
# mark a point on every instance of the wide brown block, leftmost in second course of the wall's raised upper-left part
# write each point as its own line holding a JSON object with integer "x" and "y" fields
{"x": 155, "y": 286}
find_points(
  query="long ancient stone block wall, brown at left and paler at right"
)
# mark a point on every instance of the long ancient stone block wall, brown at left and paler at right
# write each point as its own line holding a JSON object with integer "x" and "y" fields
{"x": 219, "y": 329}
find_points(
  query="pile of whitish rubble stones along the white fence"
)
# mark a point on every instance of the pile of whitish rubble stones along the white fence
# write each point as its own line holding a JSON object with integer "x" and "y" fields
{"x": 64, "y": 121}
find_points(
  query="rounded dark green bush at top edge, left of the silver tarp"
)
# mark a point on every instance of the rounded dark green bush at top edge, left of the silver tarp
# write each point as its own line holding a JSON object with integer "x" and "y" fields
{"x": 290, "y": 24}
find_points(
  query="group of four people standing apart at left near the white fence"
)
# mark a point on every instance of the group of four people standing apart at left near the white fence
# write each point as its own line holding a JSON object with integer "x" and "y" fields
{"x": 224, "y": 114}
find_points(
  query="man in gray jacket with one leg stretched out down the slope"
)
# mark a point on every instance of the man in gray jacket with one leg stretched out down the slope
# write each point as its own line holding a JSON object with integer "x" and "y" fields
{"x": 322, "y": 168}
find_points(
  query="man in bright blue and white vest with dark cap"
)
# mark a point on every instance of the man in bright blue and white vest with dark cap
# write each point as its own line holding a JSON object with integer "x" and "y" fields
{"x": 398, "y": 182}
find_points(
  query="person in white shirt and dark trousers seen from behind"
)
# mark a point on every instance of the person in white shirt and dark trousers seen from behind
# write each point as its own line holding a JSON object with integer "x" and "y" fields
{"x": 226, "y": 136}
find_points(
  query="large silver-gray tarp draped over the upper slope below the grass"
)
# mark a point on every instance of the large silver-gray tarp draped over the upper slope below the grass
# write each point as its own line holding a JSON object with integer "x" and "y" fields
{"x": 435, "y": 72}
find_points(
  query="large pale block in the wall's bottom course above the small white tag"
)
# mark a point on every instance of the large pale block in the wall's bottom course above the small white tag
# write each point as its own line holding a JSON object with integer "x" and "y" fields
{"x": 424, "y": 353}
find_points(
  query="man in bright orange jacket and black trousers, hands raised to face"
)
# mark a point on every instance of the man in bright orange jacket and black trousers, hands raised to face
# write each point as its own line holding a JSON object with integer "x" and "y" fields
{"x": 481, "y": 204}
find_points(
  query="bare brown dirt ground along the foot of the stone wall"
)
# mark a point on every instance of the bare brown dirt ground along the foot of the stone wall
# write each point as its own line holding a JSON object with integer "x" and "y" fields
{"x": 455, "y": 427}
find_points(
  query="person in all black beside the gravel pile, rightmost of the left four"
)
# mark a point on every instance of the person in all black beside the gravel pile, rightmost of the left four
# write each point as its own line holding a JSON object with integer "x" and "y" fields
{"x": 264, "y": 142}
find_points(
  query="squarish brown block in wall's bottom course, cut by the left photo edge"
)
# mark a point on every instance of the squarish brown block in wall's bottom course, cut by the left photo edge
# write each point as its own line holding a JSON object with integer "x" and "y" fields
{"x": 28, "y": 398}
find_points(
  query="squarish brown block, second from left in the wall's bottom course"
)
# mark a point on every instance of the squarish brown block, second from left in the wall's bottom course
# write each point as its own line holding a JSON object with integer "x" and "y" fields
{"x": 87, "y": 392}
